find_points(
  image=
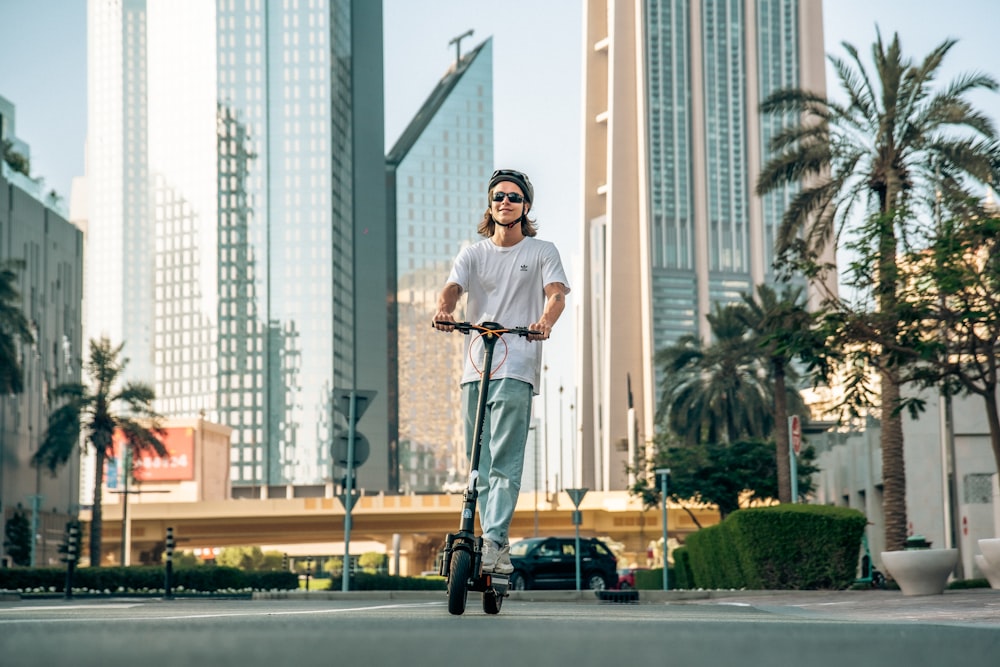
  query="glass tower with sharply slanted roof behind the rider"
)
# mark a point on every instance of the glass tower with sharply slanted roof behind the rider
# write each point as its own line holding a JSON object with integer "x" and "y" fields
{"x": 437, "y": 175}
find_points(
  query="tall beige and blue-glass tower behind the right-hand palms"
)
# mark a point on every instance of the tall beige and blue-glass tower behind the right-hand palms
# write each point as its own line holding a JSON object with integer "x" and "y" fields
{"x": 673, "y": 144}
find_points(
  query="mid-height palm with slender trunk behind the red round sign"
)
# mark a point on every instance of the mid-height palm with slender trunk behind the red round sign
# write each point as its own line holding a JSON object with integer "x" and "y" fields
{"x": 783, "y": 330}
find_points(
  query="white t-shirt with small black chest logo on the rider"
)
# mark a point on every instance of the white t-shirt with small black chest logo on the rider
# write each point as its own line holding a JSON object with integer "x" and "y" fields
{"x": 507, "y": 286}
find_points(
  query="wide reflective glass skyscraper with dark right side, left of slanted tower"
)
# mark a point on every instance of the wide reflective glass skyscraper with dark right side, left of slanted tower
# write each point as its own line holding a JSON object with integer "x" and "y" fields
{"x": 236, "y": 239}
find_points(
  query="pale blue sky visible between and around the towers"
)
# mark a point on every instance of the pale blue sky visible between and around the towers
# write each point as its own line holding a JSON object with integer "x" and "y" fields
{"x": 537, "y": 54}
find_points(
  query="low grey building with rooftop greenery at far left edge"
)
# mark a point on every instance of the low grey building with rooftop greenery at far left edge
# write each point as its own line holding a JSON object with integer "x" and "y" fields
{"x": 50, "y": 283}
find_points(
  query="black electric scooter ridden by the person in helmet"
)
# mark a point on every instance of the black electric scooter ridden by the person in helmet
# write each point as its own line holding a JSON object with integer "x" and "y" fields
{"x": 463, "y": 551}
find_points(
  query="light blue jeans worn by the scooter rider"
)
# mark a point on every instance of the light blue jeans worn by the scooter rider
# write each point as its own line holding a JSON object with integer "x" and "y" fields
{"x": 501, "y": 461}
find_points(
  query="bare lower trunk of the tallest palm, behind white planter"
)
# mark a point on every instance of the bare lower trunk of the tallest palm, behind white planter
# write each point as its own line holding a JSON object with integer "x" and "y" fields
{"x": 893, "y": 466}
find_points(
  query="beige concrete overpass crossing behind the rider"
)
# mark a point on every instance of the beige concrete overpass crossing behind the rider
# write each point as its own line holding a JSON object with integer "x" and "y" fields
{"x": 411, "y": 527}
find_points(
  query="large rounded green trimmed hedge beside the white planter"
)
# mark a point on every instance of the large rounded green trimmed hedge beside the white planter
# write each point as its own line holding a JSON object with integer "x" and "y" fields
{"x": 782, "y": 547}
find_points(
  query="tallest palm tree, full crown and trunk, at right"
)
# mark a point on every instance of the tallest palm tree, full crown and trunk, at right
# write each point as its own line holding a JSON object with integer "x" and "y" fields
{"x": 877, "y": 154}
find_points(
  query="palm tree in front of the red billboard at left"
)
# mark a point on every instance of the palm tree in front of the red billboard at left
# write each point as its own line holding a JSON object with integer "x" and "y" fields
{"x": 94, "y": 410}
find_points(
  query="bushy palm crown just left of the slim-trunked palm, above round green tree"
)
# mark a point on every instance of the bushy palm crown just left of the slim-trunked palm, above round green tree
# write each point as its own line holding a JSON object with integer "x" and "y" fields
{"x": 715, "y": 393}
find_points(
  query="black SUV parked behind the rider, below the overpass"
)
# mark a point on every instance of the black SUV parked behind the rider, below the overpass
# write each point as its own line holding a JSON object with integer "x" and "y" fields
{"x": 550, "y": 562}
